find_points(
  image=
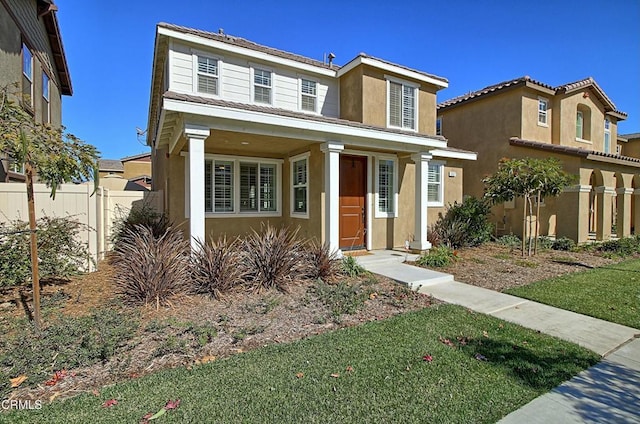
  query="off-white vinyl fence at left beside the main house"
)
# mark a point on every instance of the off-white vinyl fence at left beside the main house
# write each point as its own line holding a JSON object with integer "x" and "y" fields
{"x": 97, "y": 211}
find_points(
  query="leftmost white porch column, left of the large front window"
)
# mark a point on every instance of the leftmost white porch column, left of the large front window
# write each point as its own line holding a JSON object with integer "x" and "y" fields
{"x": 196, "y": 137}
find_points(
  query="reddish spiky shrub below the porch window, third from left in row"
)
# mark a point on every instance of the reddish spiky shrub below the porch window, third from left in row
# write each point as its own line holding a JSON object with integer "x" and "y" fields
{"x": 274, "y": 258}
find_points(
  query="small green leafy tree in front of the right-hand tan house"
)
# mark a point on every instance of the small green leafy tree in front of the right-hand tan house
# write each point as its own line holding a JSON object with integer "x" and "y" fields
{"x": 530, "y": 179}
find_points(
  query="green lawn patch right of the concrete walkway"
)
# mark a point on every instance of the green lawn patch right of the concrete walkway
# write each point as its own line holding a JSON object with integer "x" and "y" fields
{"x": 611, "y": 293}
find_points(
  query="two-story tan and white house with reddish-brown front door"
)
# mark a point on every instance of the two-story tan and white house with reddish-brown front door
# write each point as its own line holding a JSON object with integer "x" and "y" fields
{"x": 244, "y": 134}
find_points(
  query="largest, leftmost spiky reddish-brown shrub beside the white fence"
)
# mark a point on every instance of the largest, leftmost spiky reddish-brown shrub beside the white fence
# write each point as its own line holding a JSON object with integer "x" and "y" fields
{"x": 149, "y": 269}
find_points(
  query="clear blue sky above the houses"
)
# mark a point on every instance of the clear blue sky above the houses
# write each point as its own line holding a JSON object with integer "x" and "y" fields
{"x": 109, "y": 47}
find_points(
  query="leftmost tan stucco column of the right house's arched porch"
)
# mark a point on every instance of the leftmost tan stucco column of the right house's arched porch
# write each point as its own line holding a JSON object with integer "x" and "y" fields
{"x": 572, "y": 213}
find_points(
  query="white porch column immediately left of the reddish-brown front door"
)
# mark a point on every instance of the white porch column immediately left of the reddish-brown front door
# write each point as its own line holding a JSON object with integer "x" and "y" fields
{"x": 332, "y": 152}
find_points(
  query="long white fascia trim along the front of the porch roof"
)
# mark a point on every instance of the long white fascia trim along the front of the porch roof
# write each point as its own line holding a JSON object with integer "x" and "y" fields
{"x": 307, "y": 126}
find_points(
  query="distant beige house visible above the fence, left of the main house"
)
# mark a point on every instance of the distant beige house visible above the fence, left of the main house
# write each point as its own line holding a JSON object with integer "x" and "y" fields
{"x": 128, "y": 173}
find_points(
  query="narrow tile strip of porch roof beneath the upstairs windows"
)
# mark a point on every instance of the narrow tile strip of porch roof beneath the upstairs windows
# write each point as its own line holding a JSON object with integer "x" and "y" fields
{"x": 287, "y": 113}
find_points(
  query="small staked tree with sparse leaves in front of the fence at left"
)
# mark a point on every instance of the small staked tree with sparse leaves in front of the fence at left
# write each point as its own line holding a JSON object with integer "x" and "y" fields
{"x": 55, "y": 156}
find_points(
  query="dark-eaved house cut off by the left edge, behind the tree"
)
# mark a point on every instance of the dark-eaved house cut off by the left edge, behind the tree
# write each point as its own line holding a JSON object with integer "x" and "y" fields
{"x": 32, "y": 55}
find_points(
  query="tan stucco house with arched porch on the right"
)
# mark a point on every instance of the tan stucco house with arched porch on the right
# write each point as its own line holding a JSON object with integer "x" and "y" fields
{"x": 575, "y": 123}
